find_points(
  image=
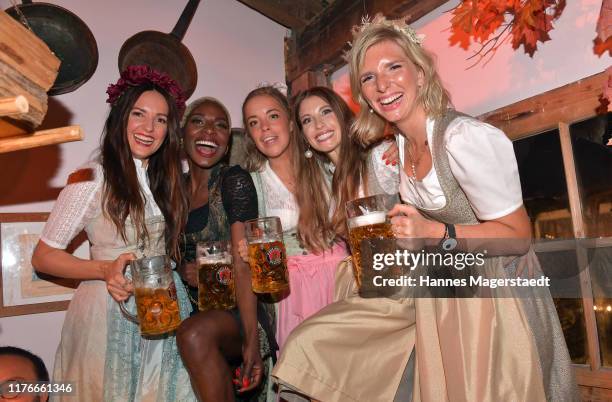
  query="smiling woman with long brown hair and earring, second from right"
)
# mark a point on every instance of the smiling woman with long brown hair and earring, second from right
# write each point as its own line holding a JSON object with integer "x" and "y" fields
{"x": 350, "y": 170}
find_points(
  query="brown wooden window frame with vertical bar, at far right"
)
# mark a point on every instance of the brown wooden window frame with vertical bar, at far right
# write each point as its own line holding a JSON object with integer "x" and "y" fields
{"x": 558, "y": 109}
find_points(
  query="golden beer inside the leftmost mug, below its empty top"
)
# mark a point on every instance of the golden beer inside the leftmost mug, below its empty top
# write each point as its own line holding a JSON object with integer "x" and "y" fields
{"x": 158, "y": 311}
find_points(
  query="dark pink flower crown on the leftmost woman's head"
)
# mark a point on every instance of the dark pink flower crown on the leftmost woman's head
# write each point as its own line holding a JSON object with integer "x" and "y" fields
{"x": 133, "y": 76}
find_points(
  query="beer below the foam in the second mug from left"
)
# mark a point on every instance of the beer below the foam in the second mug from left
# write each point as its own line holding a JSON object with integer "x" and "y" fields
{"x": 216, "y": 289}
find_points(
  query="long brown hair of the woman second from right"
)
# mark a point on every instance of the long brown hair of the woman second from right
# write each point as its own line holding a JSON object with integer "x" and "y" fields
{"x": 316, "y": 227}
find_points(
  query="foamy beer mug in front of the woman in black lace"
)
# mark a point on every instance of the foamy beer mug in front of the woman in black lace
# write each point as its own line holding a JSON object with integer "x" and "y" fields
{"x": 216, "y": 289}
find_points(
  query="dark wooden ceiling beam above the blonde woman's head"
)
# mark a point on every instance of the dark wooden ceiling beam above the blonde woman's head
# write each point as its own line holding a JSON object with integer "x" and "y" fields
{"x": 324, "y": 40}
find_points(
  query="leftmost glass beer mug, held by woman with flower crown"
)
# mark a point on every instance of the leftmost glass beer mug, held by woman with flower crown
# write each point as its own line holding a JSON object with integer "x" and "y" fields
{"x": 155, "y": 294}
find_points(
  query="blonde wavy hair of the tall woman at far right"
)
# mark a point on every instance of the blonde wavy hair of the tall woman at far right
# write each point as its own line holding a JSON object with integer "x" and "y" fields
{"x": 370, "y": 127}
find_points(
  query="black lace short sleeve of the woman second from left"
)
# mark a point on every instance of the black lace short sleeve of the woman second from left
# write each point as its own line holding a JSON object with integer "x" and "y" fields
{"x": 238, "y": 195}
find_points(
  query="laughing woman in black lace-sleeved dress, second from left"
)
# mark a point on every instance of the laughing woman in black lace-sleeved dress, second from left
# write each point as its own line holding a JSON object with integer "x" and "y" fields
{"x": 221, "y": 199}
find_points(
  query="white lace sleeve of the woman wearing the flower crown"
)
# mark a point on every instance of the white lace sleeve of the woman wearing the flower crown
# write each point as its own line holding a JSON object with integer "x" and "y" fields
{"x": 74, "y": 208}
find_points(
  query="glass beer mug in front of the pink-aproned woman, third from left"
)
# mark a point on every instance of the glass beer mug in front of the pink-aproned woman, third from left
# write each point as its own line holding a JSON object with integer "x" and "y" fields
{"x": 267, "y": 255}
